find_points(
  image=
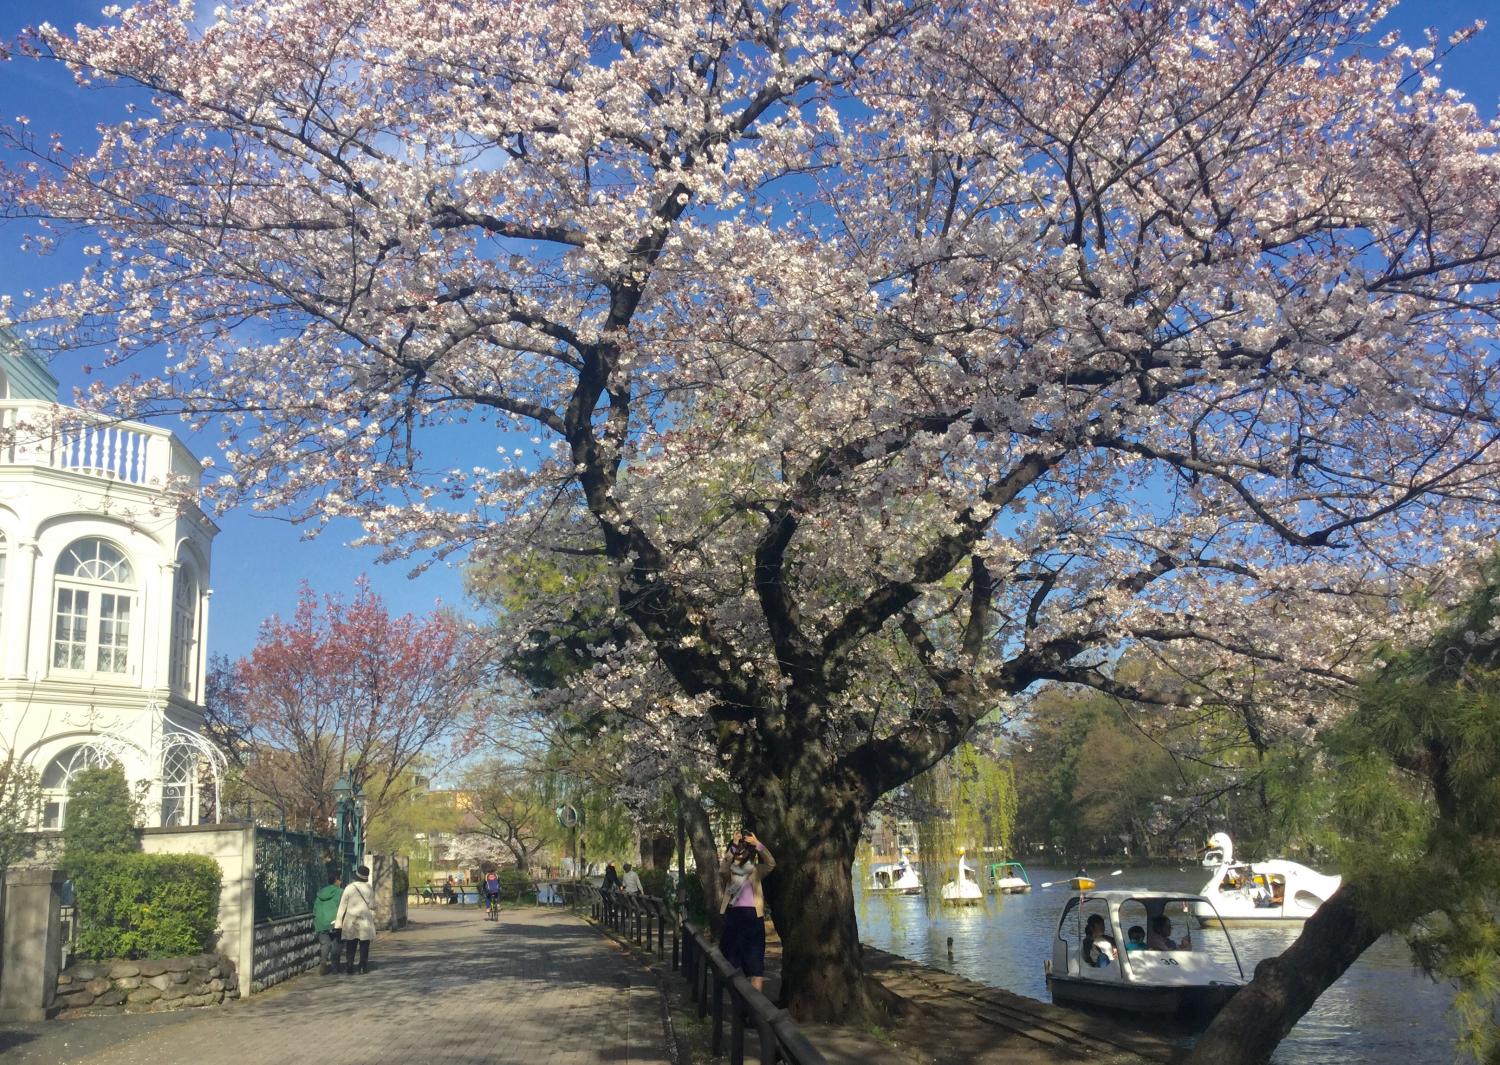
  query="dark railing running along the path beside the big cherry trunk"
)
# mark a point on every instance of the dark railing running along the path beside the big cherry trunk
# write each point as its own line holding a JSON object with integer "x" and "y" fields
{"x": 712, "y": 979}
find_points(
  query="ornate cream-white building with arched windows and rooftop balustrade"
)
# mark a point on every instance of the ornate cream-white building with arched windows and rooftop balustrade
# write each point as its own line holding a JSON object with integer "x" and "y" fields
{"x": 104, "y": 601}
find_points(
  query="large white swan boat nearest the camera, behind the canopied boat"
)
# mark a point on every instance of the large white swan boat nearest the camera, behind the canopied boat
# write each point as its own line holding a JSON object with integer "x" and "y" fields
{"x": 1274, "y": 892}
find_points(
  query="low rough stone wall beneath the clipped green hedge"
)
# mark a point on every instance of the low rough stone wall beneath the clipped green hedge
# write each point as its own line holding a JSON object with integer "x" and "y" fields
{"x": 118, "y": 986}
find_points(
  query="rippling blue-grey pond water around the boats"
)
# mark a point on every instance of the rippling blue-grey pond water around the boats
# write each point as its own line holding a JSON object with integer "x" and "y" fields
{"x": 1382, "y": 1010}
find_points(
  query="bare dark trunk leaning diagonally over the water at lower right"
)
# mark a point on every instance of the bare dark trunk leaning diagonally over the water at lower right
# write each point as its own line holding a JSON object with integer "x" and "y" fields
{"x": 1286, "y": 988}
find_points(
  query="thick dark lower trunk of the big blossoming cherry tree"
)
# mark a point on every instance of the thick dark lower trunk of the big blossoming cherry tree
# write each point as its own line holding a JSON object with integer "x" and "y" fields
{"x": 811, "y": 898}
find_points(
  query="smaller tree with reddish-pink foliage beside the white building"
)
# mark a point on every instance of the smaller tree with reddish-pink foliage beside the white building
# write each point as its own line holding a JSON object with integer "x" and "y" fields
{"x": 347, "y": 689}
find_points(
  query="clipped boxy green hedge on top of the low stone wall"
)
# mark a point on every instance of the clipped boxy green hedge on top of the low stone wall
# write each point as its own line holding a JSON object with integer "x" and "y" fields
{"x": 146, "y": 905}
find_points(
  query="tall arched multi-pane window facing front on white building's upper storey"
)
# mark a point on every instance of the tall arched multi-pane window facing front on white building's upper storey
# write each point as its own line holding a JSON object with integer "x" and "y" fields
{"x": 95, "y": 593}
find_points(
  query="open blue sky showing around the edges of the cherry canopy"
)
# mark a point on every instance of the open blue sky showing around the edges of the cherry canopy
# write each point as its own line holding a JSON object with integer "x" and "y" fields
{"x": 260, "y": 560}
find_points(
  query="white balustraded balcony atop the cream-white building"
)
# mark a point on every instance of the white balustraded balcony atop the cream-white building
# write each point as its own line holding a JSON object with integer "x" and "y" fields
{"x": 53, "y": 437}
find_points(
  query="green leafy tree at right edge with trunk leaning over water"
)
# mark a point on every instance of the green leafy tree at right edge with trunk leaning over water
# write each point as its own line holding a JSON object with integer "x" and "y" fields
{"x": 1411, "y": 787}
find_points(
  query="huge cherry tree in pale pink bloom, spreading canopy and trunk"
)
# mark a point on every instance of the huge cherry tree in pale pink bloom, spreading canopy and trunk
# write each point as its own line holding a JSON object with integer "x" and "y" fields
{"x": 899, "y": 355}
